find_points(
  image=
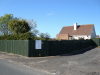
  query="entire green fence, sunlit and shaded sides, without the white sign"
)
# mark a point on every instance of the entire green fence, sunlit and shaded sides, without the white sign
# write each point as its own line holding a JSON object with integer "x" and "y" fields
{"x": 49, "y": 48}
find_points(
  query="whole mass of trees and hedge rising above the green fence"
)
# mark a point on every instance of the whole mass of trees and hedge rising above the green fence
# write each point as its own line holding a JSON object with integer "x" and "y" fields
{"x": 14, "y": 28}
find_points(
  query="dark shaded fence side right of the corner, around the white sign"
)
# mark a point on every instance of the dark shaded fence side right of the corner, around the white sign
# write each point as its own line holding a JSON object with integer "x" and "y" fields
{"x": 51, "y": 48}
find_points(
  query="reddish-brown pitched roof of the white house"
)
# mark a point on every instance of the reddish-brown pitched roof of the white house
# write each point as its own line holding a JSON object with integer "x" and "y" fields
{"x": 81, "y": 30}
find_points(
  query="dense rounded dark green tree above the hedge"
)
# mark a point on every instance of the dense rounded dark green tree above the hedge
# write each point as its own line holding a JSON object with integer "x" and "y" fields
{"x": 19, "y": 26}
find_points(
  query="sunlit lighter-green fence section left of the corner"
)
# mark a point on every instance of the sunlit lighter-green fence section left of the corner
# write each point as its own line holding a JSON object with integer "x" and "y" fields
{"x": 15, "y": 46}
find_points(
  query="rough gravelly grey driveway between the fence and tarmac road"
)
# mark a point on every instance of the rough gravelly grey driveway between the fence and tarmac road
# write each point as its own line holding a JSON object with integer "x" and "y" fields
{"x": 84, "y": 63}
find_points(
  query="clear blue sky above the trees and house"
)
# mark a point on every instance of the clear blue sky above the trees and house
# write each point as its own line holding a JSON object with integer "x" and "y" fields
{"x": 52, "y": 15}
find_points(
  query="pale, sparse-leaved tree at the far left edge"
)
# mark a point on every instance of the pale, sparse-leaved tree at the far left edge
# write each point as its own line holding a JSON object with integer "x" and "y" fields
{"x": 4, "y": 20}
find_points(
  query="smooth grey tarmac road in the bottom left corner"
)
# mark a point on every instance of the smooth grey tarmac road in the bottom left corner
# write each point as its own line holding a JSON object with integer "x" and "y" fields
{"x": 11, "y": 68}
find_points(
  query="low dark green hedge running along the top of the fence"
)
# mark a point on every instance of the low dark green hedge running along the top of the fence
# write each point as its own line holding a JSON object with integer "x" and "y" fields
{"x": 22, "y": 36}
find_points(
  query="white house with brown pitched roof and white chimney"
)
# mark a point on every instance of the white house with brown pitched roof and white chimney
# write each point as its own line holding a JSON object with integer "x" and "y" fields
{"x": 77, "y": 32}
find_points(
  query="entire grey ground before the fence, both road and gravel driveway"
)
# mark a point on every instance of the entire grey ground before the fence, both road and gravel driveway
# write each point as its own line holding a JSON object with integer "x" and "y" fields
{"x": 84, "y": 63}
